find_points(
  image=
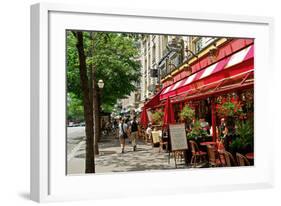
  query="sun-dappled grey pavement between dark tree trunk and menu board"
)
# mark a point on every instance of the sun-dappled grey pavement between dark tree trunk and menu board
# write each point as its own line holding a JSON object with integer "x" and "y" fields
{"x": 144, "y": 158}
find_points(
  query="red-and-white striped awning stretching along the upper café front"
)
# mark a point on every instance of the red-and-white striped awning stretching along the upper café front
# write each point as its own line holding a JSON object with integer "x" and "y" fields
{"x": 233, "y": 67}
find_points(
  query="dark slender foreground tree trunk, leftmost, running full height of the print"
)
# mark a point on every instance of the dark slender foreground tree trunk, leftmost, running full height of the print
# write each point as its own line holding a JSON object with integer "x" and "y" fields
{"x": 88, "y": 111}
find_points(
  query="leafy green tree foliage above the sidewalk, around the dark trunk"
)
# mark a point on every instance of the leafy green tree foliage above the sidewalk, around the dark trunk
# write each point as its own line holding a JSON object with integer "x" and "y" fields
{"x": 115, "y": 57}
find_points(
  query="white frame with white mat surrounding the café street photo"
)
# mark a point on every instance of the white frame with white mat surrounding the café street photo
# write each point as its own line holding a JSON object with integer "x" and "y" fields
{"x": 48, "y": 178}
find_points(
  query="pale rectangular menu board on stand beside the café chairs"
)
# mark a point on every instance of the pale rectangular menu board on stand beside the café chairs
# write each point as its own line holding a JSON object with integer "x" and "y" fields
{"x": 178, "y": 137}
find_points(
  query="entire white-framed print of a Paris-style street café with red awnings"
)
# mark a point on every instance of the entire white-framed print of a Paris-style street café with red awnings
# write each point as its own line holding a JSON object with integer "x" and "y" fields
{"x": 123, "y": 98}
